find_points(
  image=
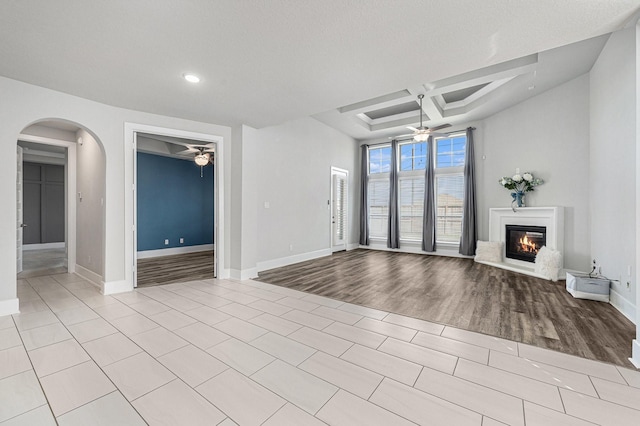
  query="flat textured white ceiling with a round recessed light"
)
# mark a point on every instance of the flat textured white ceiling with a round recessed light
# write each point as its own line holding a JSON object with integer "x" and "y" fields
{"x": 266, "y": 62}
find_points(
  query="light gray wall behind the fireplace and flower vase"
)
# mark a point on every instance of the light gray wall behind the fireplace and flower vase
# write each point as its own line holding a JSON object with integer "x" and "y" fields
{"x": 547, "y": 135}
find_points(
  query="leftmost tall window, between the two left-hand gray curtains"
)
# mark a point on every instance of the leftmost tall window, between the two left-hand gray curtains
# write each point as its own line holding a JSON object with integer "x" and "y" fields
{"x": 379, "y": 168}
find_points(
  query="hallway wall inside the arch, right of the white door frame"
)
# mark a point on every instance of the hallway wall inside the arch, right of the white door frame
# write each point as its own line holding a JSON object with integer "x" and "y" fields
{"x": 91, "y": 186}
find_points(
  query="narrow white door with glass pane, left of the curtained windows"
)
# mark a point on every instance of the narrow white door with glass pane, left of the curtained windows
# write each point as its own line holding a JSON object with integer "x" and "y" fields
{"x": 339, "y": 197}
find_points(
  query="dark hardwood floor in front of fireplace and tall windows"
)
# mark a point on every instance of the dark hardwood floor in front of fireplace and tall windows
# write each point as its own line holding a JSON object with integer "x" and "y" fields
{"x": 468, "y": 295}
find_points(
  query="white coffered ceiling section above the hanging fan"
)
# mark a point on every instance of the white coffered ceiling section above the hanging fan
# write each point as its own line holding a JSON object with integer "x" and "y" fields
{"x": 464, "y": 98}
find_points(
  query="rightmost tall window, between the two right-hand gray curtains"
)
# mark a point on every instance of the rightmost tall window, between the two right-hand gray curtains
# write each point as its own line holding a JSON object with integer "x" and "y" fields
{"x": 449, "y": 187}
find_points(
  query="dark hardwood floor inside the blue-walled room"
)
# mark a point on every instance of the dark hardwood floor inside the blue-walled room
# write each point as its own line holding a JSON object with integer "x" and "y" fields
{"x": 176, "y": 268}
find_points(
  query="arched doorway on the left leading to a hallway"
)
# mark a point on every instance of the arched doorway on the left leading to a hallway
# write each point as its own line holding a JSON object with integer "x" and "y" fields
{"x": 77, "y": 193}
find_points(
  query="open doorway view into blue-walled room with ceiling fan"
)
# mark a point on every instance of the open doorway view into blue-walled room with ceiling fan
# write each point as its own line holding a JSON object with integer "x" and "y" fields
{"x": 174, "y": 210}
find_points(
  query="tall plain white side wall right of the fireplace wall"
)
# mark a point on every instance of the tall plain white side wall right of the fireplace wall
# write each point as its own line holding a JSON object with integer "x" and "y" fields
{"x": 612, "y": 167}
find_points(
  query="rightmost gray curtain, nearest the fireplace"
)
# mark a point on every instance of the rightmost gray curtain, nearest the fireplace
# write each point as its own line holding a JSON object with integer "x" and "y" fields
{"x": 469, "y": 228}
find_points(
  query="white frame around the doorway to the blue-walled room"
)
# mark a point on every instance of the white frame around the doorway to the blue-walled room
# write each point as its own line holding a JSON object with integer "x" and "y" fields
{"x": 130, "y": 137}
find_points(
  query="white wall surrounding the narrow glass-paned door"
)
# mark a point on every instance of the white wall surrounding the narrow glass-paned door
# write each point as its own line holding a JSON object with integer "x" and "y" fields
{"x": 292, "y": 187}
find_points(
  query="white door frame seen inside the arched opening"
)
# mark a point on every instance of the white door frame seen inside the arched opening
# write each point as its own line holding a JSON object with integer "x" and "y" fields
{"x": 69, "y": 192}
